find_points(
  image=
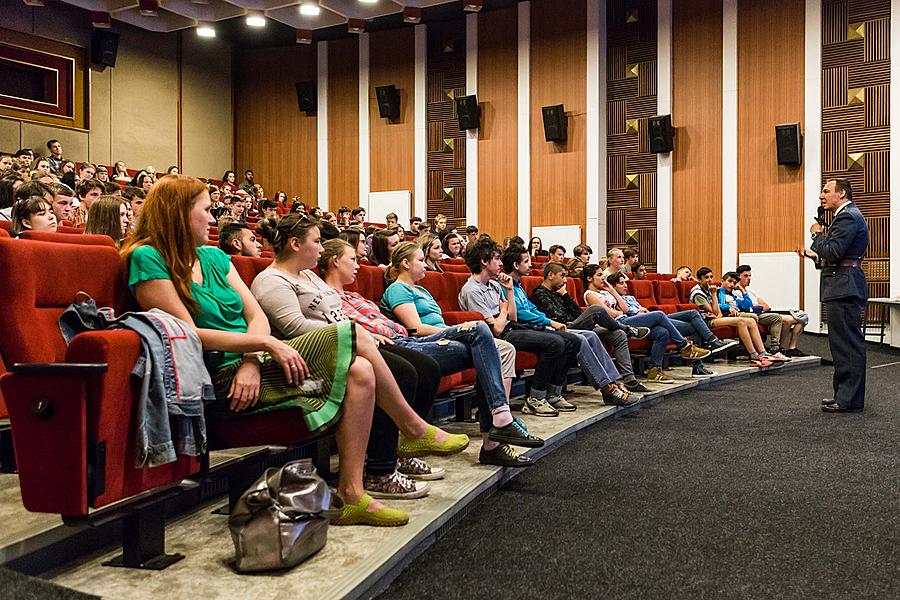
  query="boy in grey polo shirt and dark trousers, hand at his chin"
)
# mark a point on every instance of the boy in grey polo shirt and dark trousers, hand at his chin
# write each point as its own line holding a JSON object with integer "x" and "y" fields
{"x": 491, "y": 292}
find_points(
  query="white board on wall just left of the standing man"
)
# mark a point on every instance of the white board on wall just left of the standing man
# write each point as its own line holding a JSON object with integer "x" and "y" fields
{"x": 776, "y": 277}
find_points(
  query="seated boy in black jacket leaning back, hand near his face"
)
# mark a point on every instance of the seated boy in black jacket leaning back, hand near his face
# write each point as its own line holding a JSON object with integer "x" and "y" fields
{"x": 552, "y": 299}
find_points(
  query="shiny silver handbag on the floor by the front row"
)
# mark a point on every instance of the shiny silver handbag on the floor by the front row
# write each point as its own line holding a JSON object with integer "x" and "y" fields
{"x": 283, "y": 518}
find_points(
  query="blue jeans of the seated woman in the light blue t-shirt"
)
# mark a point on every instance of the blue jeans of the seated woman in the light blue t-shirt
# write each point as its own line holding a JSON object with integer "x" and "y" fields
{"x": 456, "y": 350}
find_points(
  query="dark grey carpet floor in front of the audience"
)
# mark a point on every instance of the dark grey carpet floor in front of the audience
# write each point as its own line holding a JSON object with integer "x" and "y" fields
{"x": 745, "y": 490}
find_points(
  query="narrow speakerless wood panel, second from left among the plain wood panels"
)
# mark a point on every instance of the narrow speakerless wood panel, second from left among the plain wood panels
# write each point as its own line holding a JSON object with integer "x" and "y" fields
{"x": 343, "y": 122}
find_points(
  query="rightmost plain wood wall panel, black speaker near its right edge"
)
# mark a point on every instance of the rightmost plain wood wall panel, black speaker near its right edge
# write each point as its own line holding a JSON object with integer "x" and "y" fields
{"x": 770, "y": 80}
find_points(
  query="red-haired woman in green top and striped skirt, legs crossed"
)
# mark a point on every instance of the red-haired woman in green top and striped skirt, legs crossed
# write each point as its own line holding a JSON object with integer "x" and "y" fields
{"x": 170, "y": 268}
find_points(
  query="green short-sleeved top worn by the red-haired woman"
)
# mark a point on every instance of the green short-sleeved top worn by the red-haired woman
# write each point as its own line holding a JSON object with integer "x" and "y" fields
{"x": 220, "y": 306}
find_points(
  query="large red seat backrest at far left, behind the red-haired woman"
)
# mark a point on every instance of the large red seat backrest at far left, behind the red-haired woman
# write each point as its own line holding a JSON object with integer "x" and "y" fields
{"x": 33, "y": 298}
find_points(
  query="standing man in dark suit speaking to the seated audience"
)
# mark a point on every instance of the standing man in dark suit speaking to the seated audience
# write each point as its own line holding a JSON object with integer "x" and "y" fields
{"x": 843, "y": 290}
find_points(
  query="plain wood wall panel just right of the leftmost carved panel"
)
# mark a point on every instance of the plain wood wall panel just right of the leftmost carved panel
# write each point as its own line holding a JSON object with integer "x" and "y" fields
{"x": 498, "y": 200}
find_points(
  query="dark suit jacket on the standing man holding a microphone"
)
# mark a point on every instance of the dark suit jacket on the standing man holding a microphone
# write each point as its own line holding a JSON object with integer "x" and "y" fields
{"x": 846, "y": 239}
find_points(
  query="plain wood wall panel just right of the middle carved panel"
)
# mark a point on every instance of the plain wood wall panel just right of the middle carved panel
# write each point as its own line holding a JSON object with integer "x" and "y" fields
{"x": 697, "y": 115}
